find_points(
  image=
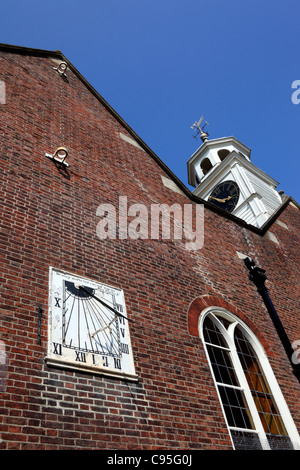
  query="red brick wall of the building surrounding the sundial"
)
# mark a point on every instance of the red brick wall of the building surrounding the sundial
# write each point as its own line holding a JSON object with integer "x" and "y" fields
{"x": 49, "y": 218}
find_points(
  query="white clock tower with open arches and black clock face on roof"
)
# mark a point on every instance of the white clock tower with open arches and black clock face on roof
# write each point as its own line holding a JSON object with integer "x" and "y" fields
{"x": 222, "y": 173}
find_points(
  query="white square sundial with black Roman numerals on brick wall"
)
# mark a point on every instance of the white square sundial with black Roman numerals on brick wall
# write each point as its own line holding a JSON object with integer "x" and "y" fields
{"x": 88, "y": 326}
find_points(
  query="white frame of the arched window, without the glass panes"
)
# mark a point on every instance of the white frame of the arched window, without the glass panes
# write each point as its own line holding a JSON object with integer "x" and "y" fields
{"x": 265, "y": 365}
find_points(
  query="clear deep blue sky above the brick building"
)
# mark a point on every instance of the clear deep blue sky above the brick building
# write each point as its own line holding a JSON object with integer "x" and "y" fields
{"x": 161, "y": 64}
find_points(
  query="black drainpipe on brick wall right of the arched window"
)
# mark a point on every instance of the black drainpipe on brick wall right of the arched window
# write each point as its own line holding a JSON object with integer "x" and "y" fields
{"x": 258, "y": 277}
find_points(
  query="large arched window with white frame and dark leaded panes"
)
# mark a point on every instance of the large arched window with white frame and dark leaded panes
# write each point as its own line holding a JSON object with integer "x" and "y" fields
{"x": 254, "y": 408}
